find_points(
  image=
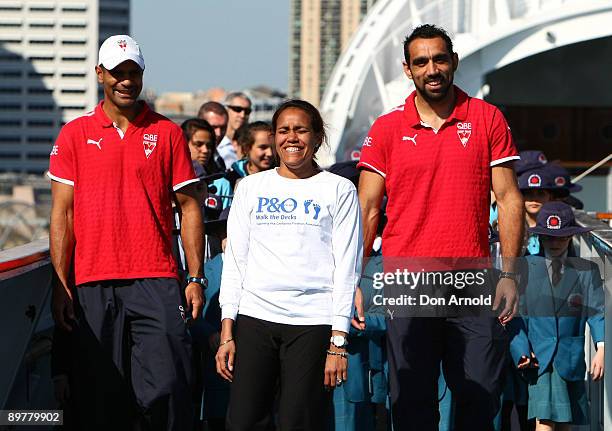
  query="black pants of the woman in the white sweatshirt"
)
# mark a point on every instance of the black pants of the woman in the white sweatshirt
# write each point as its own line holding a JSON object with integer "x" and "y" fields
{"x": 270, "y": 356}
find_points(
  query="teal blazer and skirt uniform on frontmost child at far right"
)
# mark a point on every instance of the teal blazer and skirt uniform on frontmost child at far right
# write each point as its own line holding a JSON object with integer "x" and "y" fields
{"x": 552, "y": 325}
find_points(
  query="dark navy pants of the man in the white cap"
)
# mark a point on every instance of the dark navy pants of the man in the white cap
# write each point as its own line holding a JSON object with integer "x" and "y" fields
{"x": 132, "y": 367}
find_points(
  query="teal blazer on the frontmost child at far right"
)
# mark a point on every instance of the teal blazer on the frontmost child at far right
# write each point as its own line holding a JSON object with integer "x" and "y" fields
{"x": 552, "y": 319}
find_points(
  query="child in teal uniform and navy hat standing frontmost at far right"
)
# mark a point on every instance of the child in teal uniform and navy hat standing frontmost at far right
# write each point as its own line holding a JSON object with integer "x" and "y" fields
{"x": 562, "y": 295}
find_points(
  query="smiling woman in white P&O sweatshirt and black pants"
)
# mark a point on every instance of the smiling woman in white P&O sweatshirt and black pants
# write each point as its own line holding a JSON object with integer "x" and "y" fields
{"x": 292, "y": 262}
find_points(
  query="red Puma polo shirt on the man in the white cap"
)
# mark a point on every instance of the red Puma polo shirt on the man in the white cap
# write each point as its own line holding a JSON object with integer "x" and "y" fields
{"x": 123, "y": 187}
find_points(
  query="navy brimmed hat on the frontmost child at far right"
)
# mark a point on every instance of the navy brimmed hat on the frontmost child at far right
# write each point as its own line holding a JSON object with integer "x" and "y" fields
{"x": 557, "y": 219}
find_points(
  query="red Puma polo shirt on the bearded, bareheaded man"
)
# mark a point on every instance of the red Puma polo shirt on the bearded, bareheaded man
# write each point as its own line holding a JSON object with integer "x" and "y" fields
{"x": 438, "y": 182}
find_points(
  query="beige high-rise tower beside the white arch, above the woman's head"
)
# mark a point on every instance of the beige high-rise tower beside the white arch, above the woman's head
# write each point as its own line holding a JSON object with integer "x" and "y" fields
{"x": 319, "y": 30}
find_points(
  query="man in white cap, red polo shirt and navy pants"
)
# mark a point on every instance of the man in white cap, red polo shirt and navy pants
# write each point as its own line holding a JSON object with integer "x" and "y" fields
{"x": 115, "y": 172}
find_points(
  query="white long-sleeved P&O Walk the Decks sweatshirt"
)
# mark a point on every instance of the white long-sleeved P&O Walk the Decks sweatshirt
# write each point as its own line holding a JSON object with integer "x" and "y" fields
{"x": 294, "y": 250}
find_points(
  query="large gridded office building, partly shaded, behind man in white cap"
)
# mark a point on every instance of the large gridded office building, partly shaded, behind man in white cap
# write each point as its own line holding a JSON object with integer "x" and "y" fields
{"x": 48, "y": 52}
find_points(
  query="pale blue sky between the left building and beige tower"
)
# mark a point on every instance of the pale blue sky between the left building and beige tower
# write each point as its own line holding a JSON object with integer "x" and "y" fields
{"x": 191, "y": 45}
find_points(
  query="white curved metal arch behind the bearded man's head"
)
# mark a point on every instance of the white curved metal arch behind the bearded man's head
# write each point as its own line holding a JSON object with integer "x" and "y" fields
{"x": 488, "y": 34}
